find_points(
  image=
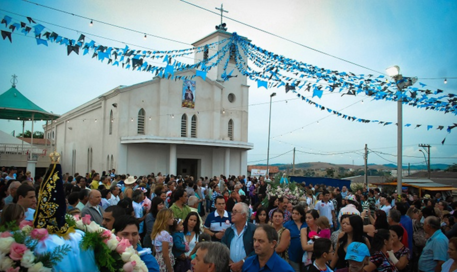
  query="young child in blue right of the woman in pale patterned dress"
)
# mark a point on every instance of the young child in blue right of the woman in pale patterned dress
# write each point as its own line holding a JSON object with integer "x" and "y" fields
{"x": 180, "y": 246}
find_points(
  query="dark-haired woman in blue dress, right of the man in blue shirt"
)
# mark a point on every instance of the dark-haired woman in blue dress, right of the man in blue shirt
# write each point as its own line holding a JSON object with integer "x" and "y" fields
{"x": 295, "y": 226}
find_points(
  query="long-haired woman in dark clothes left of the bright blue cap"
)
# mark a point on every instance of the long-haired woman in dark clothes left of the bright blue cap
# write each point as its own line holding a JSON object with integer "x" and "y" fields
{"x": 352, "y": 231}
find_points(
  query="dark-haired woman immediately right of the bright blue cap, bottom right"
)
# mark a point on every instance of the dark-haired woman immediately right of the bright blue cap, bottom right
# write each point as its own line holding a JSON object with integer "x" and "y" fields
{"x": 379, "y": 260}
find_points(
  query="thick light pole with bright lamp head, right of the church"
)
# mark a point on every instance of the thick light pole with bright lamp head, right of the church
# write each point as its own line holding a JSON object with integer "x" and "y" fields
{"x": 401, "y": 82}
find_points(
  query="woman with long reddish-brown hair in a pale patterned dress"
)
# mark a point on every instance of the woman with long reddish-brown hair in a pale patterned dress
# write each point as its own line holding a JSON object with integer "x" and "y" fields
{"x": 163, "y": 241}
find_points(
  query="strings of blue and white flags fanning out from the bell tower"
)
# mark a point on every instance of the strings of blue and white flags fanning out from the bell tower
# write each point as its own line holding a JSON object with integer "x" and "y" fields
{"x": 269, "y": 70}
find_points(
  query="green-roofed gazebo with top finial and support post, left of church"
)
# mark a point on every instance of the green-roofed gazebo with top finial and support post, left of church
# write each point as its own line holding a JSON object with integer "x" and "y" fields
{"x": 15, "y": 106}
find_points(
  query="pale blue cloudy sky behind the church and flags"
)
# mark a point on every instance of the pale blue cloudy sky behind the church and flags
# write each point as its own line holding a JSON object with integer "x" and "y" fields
{"x": 420, "y": 37}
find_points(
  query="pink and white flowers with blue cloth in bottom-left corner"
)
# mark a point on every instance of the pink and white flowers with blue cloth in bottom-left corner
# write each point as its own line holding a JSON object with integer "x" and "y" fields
{"x": 17, "y": 247}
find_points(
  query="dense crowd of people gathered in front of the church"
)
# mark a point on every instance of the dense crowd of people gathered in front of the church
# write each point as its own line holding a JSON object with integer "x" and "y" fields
{"x": 220, "y": 223}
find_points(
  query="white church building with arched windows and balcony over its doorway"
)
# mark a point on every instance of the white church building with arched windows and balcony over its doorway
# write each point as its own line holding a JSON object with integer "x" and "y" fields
{"x": 146, "y": 128}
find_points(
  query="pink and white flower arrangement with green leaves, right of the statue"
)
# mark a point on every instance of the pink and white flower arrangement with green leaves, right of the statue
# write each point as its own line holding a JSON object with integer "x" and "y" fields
{"x": 111, "y": 252}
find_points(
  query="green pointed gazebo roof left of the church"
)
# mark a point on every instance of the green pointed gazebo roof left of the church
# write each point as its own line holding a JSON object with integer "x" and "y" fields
{"x": 15, "y": 106}
